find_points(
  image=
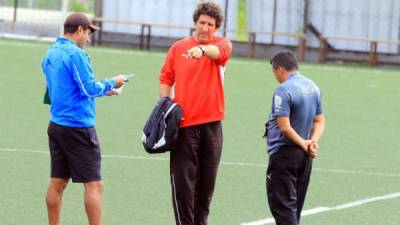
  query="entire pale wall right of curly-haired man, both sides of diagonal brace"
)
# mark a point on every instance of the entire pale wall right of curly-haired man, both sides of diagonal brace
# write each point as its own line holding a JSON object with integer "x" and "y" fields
{"x": 372, "y": 19}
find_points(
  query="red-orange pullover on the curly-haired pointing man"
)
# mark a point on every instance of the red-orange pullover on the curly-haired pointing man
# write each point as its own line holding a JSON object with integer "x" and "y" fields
{"x": 197, "y": 83}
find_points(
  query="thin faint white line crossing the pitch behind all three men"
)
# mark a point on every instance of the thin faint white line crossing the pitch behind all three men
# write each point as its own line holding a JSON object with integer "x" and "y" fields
{"x": 243, "y": 164}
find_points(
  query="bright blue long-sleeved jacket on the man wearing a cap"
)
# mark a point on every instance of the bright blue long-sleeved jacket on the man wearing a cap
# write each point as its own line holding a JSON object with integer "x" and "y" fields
{"x": 71, "y": 84}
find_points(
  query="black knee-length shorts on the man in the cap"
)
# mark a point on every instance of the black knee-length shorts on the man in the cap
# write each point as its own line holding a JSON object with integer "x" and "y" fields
{"x": 75, "y": 153}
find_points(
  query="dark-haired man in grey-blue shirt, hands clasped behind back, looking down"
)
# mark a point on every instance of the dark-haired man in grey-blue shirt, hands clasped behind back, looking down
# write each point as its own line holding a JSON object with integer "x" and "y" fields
{"x": 294, "y": 126}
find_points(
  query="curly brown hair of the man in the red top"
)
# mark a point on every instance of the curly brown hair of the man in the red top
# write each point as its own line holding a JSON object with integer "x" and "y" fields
{"x": 211, "y": 9}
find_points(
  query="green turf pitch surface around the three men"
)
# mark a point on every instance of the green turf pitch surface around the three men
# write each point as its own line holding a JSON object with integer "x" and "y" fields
{"x": 358, "y": 156}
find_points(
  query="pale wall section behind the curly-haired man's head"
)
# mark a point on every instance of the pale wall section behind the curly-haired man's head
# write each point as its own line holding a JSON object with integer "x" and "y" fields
{"x": 172, "y": 12}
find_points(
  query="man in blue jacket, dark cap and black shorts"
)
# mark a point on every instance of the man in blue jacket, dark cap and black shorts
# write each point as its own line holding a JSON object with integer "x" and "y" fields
{"x": 73, "y": 143}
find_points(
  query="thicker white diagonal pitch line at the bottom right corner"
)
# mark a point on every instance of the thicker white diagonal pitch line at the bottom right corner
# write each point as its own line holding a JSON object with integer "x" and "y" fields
{"x": 327, "y": 209}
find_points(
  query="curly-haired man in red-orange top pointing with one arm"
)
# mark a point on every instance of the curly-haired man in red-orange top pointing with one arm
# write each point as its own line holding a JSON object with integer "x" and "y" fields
{"x": 194, "y": 72}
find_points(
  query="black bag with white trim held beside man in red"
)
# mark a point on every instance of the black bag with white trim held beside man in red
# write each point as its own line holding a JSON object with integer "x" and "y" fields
{"x": 160, "y": 132}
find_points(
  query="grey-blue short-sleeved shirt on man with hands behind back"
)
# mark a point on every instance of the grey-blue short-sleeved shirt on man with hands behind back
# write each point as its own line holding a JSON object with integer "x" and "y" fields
{"x": 298, "y": 98}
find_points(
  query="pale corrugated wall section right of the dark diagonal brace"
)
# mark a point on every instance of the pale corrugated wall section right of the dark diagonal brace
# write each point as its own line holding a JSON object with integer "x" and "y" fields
{"x": 372, "y": 19}
